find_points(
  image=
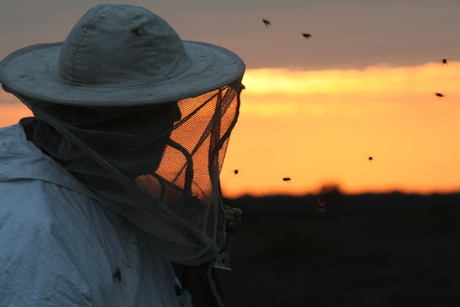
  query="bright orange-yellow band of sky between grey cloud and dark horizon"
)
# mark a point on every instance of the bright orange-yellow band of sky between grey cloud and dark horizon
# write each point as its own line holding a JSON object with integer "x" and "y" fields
{"x": 320, "y": 127}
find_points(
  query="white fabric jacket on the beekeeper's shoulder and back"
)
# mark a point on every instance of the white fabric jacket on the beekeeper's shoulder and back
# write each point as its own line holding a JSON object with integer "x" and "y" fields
{"x": 59, "y": 247}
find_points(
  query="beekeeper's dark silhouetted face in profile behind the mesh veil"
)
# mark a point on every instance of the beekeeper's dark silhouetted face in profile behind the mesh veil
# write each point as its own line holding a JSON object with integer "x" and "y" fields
{"x": 132, "y": 139}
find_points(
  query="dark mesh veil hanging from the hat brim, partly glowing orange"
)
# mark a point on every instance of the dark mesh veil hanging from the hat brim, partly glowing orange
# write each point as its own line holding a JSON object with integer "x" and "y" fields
{"x": 158, "y": 165}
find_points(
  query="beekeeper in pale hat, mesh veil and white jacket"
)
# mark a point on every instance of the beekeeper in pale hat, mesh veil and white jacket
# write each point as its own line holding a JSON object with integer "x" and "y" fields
{"x": 117, "y": 173}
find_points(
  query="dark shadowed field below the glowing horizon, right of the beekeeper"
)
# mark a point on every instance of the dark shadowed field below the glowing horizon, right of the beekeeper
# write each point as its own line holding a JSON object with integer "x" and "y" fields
{"x": 365, "y": 250}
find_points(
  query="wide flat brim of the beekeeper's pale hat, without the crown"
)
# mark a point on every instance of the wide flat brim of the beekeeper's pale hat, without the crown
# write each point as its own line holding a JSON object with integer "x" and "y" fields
{"x": 30, "y": 72}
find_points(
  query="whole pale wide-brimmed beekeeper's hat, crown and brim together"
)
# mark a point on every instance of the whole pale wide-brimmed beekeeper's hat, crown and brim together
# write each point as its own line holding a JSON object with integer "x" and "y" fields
{"x": 119, "y": 55}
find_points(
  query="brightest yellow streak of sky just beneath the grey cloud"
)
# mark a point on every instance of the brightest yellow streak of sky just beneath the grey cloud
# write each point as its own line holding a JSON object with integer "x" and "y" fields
{"x": 370, "y": 80}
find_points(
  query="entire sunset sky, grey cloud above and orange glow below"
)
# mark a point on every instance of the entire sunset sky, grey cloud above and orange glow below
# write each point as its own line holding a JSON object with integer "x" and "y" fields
{"x": 313, "y": 110}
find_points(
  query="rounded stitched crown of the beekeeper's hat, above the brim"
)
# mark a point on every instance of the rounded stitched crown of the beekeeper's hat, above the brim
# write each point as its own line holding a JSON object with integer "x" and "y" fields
{"x": 121, "y": 45}
